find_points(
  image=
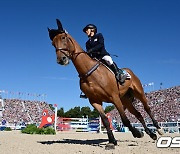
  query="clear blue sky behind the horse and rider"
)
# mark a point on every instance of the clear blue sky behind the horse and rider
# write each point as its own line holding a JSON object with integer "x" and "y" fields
{"x": 144, "y": 33}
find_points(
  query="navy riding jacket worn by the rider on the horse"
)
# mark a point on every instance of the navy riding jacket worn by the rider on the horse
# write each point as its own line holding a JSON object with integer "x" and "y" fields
{"x": 95, "y": 46}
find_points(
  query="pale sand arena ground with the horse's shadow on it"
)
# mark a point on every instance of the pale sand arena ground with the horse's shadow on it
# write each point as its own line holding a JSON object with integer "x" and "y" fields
{"x": 14, "y": 142}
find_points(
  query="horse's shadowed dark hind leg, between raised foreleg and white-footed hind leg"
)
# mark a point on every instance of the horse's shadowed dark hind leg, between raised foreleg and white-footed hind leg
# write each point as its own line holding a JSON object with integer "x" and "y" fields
{"x": 138, "y": 115}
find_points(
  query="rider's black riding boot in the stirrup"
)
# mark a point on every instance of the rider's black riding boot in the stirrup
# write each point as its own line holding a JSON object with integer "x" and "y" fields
{"x": 120, "y": 76}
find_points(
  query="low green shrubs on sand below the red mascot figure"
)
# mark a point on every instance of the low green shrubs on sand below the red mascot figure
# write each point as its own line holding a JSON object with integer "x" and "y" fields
{"x": 32, "y": 129}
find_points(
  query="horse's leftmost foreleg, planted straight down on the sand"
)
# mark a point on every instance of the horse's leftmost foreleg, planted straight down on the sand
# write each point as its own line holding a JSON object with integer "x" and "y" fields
{"x": 99, "y": 108}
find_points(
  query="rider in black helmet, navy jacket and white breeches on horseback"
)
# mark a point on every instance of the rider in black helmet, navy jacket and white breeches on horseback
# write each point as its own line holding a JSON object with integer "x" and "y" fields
{"x": 96, "y": 49}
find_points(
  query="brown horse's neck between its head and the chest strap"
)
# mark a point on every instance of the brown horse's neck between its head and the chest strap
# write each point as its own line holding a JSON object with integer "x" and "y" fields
{"x": 82, "y": 62}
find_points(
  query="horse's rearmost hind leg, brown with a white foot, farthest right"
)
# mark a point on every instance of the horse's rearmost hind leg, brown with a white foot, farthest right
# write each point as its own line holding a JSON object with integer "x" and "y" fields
{"x": 139, "y": 94}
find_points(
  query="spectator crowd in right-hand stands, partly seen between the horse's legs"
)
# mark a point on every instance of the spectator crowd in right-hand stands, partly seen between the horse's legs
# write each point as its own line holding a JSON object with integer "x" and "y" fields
{"x": 164, "y": 104}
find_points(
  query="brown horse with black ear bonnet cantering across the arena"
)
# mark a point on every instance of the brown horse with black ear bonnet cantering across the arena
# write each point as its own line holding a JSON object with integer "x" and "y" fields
{"x": 100, "y": 85}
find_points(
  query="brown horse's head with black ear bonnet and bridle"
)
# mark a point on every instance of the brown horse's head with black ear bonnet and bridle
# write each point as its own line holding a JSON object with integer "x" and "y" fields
{"x": 62, "y": 43}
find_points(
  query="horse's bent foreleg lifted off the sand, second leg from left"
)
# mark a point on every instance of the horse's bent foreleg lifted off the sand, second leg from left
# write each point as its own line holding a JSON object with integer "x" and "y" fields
{"x": 125, "y": 120}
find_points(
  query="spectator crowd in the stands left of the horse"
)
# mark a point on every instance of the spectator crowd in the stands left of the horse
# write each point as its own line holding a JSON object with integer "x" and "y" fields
{"x": 17, "y": 111}
